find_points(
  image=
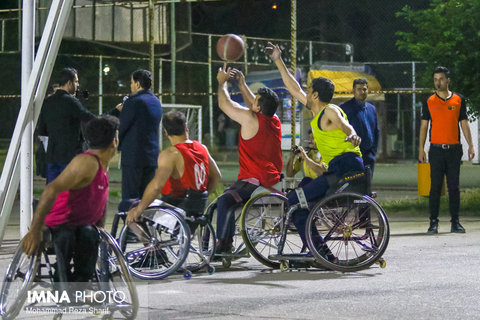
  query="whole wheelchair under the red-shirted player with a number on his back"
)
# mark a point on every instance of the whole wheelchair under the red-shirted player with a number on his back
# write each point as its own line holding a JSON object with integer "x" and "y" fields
{"x": 162, "y": 243}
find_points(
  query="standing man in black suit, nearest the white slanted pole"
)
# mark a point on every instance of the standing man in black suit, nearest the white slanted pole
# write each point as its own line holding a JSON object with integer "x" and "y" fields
{"x": 60, "y": 120}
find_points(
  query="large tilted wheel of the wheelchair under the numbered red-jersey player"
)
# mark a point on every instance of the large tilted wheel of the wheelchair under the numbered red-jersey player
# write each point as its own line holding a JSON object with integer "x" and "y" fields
{"x": 158, "y": 245}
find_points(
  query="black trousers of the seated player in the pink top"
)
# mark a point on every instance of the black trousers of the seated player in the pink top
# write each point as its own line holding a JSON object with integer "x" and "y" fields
{"x": 81, "y": 244}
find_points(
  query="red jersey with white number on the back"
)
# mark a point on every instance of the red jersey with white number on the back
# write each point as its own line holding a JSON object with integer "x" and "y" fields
{"x": 195, "y": 175}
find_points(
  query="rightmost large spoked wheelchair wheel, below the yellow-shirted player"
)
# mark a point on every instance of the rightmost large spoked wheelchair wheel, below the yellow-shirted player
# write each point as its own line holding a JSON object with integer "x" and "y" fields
{"x": 354, "y": 229}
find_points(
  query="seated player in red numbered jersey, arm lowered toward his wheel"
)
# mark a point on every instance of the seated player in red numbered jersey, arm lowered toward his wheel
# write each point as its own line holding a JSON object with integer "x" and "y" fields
{"x": 185, "y": 168}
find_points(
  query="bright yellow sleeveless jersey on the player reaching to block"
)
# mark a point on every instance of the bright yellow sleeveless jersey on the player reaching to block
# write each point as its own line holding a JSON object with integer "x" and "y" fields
{"x": 331, "y": 143}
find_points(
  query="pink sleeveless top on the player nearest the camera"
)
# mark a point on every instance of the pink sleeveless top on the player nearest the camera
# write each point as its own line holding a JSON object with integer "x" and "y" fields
{"x": 81, "y": 207}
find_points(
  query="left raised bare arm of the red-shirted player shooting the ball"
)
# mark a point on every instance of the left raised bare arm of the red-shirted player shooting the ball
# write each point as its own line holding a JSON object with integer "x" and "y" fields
{"x": 233, "y": 110}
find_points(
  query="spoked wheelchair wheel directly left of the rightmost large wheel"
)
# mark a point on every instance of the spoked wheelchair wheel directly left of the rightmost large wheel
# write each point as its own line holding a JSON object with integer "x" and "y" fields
{"x": 262, "y": 224}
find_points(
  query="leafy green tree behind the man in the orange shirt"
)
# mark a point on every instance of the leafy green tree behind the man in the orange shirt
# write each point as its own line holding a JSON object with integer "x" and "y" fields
{"x": 447, "y": 33}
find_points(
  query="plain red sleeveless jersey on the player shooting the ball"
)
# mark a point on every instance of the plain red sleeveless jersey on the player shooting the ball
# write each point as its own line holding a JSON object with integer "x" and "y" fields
{"x": 261, "y": 156}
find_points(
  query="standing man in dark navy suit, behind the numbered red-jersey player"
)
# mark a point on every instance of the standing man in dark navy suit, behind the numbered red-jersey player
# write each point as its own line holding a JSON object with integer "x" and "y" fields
{"x": 138, "y": 133}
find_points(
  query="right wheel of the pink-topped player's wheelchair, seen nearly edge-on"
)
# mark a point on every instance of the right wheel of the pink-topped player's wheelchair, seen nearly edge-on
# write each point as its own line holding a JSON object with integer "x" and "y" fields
{"x": 114, "y": 277}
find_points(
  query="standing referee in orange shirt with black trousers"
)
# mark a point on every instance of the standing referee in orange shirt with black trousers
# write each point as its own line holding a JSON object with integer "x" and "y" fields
{"x": 445, "y": 110}
